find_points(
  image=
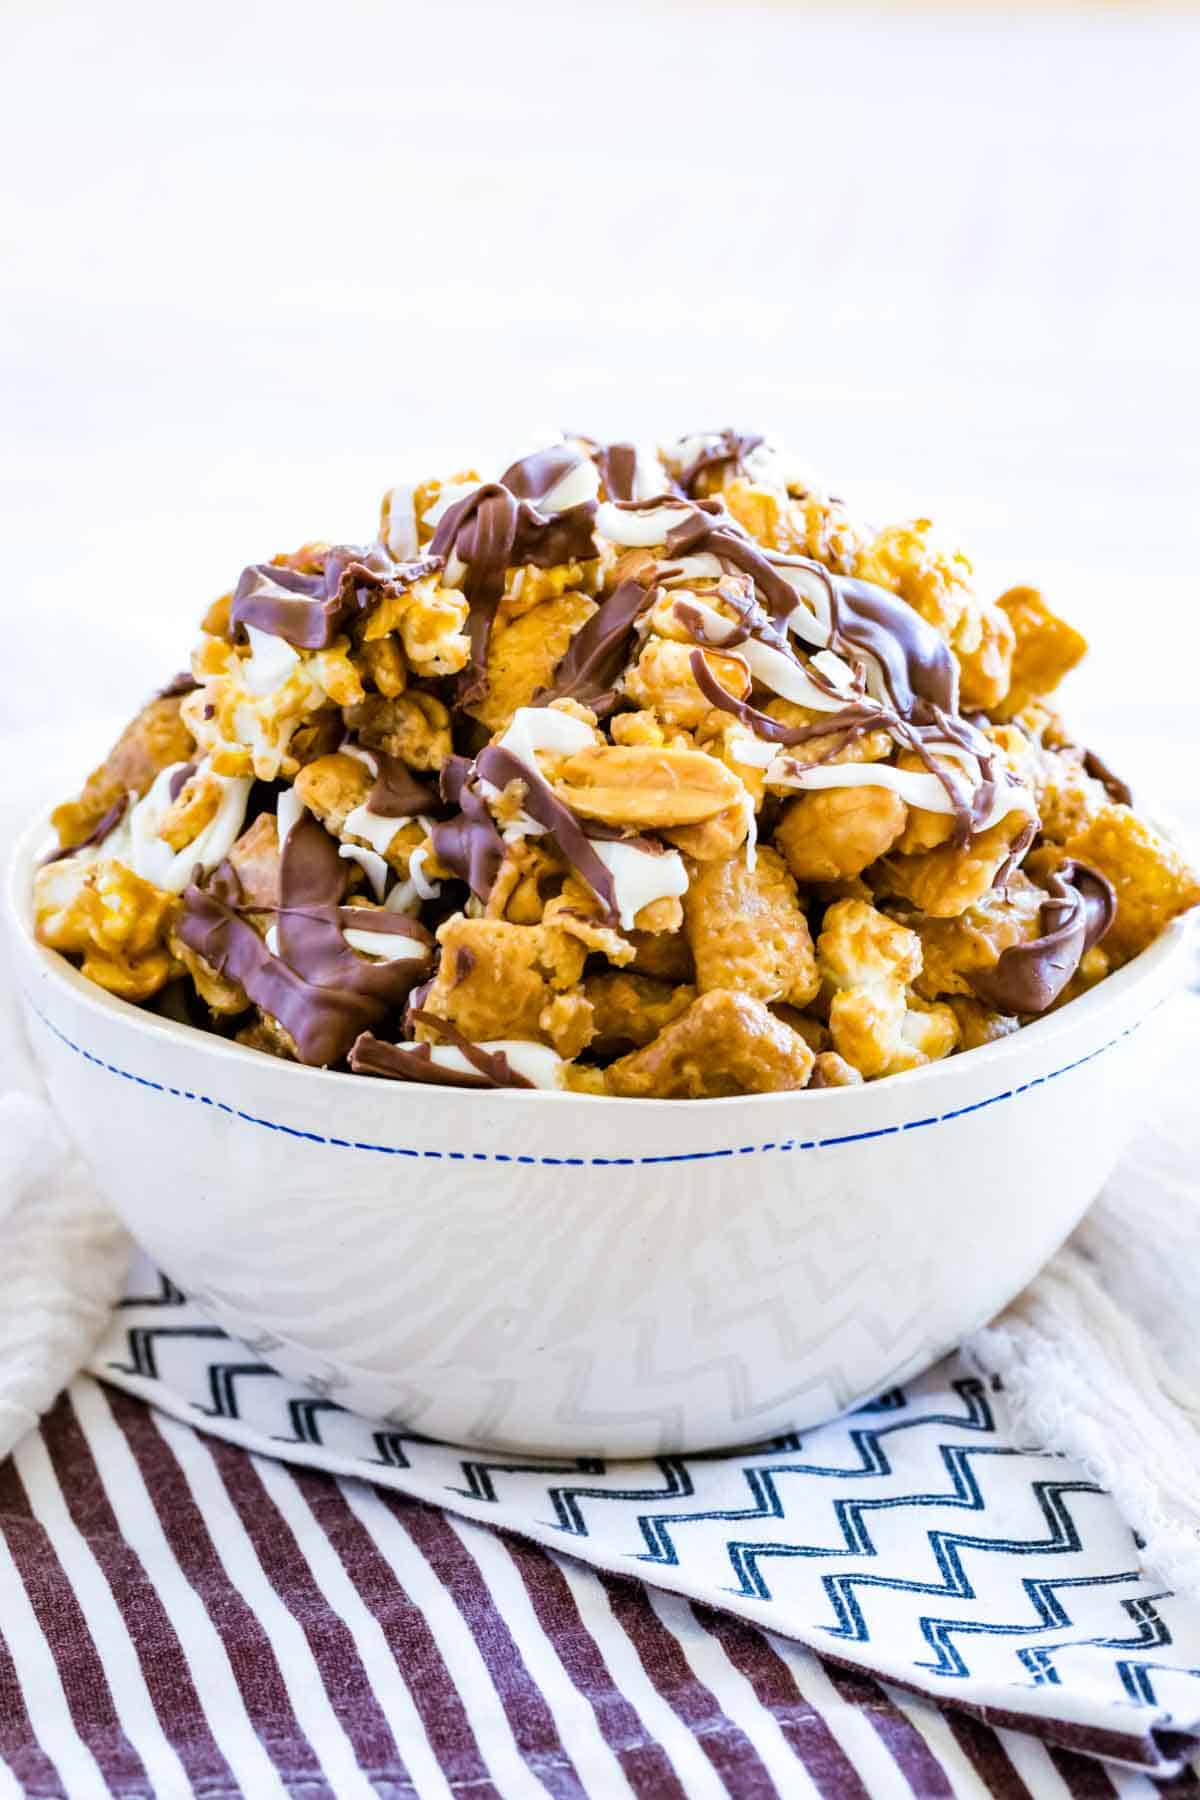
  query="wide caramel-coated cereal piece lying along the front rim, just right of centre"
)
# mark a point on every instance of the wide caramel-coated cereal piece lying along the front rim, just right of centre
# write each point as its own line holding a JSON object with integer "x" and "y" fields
{"x": 722, "y": 1045}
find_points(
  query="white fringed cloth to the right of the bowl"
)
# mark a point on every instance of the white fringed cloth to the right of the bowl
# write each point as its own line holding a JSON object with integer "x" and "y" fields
{"x": 1100, "y": 1358}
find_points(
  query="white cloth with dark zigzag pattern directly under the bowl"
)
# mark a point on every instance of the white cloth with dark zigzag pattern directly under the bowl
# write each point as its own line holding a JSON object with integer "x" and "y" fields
{"x": 913, "y": 1542}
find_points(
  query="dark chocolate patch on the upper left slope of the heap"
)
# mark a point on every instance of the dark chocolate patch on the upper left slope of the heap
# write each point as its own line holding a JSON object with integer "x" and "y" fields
{"x": 309, "y": 611}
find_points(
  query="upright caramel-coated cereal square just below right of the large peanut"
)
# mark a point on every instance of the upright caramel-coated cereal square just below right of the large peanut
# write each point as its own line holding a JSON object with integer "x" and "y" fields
{"x": 749, "y": 933}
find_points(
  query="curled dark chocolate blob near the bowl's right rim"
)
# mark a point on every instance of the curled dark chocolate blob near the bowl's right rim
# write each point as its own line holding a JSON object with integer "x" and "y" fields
{"x": 1077, "y": 913}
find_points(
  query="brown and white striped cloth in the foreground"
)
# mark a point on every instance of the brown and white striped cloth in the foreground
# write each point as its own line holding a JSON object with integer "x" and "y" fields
{"x": 183, "y": 1617}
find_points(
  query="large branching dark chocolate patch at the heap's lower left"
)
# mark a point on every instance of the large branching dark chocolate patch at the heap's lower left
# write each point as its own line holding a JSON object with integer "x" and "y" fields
{"x": 318, "y": 987}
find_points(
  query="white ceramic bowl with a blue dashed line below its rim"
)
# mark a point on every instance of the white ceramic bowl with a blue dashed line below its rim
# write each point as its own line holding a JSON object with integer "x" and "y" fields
{"x": 591, "y": 1277}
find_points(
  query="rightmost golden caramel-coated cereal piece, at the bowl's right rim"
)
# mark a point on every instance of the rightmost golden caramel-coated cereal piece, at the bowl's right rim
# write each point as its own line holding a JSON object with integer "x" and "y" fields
{"x": 1151, "y": 874}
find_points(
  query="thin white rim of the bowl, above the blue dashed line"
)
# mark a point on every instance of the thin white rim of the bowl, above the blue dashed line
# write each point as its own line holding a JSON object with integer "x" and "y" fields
{"x": 24, "y": 856}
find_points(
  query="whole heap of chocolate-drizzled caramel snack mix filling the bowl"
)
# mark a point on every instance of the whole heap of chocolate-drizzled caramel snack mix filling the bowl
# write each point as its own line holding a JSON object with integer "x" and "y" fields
{"x": 640, "y": 775}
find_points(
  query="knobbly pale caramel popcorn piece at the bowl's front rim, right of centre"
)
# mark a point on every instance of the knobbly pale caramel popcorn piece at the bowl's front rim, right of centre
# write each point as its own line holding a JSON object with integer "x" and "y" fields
{"x": 877, "y": 1025}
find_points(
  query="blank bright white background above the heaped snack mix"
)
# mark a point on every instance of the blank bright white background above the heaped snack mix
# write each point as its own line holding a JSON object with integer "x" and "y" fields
{"x": 262, "y": 262}
